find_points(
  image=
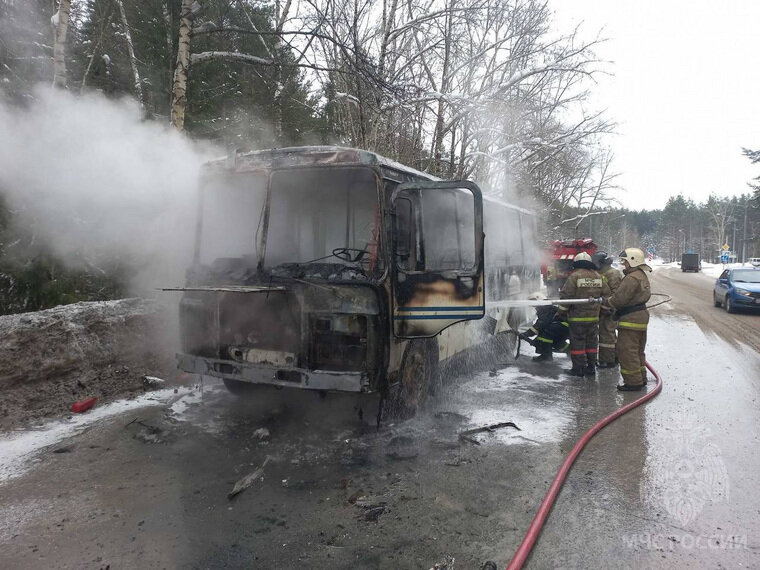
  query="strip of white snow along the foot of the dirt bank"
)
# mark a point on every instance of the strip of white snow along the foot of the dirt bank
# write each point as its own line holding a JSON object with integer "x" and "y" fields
{"x": 18, "y": 450}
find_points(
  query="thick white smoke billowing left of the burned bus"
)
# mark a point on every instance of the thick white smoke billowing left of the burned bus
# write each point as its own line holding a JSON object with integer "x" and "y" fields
{"x": 99, "y": 185}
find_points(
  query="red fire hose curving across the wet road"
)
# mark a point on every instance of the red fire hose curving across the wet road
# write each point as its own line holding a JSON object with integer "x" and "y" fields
{"x": 543, "y": 511}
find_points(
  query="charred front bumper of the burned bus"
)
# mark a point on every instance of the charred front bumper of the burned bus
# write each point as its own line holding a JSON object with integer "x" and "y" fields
{"x": 275, "y": 376}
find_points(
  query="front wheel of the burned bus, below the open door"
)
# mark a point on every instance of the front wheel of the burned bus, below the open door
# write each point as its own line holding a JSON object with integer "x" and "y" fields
{"x": 417, "y": 376}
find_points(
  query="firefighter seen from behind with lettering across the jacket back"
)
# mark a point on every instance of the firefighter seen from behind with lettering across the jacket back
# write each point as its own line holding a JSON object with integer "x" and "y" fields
{"x": 584, "y": 282}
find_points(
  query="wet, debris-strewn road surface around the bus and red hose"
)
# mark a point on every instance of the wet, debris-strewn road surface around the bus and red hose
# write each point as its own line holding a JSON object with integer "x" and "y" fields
{"x": 670, "y": 485}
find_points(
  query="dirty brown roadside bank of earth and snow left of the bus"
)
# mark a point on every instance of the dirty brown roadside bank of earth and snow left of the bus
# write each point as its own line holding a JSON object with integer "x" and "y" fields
{"x": 49, "y": 359}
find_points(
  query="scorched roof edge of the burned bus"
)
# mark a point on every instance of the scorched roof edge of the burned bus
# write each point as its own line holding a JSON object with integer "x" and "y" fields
{"x": 322, "y": 155}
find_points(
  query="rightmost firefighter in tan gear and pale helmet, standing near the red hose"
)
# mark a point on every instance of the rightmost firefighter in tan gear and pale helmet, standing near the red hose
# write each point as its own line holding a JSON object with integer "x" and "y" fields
{"x": 630, "y": 312}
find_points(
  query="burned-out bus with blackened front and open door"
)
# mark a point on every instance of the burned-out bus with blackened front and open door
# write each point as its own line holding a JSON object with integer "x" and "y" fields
{"x": 335, "y": 269}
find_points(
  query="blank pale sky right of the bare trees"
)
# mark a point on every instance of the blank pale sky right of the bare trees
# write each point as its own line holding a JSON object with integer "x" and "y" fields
{"x": 684, "y": 89}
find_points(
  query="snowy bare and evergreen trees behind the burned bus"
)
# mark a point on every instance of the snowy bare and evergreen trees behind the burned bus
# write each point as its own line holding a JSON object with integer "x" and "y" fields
{"x": 483, "y": 89}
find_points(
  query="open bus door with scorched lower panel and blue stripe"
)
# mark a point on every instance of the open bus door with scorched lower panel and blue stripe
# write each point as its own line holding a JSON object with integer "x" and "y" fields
{"x": 437, "y": 248}
